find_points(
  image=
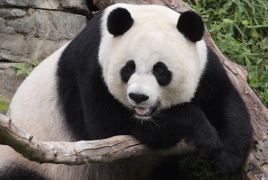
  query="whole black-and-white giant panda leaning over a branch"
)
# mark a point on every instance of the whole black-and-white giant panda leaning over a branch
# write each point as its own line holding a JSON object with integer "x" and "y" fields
{"x": 141, "y": 70}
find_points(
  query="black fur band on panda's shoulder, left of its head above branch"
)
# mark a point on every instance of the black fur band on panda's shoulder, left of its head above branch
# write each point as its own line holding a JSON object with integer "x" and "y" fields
{"x": 83, "y": 92}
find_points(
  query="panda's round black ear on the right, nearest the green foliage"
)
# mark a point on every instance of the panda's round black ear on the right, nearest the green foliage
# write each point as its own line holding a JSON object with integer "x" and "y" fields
{"x": 191, "y": 26}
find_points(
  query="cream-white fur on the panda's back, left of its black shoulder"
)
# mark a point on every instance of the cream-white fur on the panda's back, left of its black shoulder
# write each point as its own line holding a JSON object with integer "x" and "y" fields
{"x": 38, "y": 93}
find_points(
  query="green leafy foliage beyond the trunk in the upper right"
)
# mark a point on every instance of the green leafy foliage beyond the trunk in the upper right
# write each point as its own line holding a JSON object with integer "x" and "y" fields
{"x": 240, "y": 30}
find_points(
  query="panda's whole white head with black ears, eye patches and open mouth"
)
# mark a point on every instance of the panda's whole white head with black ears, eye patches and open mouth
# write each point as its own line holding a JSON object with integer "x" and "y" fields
{"x": 152, "y": 57}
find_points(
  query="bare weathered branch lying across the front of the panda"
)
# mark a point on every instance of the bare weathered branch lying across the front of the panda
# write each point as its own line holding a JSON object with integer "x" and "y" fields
{"x": 75, "y": 153}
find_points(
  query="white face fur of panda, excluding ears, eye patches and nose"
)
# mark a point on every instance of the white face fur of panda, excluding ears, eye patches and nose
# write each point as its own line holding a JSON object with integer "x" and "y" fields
{"x": 152, "y": 38}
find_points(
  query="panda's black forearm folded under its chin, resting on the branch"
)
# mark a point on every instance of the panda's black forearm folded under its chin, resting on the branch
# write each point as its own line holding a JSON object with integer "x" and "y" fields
{"x": 181, "y": 121}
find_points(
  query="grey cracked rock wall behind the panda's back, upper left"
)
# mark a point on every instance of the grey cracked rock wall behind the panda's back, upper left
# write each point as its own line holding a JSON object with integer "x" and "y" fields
{"x": 34, "y": 29}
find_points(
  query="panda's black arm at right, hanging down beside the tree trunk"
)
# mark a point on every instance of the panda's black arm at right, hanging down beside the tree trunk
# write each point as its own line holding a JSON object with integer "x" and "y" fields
{"x": 226, "y": 111}
